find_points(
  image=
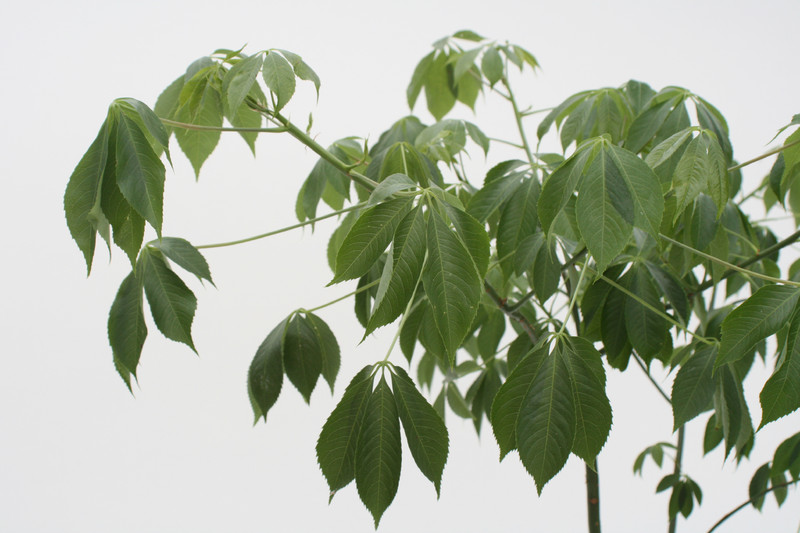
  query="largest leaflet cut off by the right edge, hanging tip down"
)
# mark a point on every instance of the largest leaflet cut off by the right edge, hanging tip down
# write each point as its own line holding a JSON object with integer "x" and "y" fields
{"x": 781, "y": 393}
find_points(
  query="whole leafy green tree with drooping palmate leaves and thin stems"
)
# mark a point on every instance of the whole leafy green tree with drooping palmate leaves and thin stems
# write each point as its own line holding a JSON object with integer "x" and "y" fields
{"x": 521, "y": 285}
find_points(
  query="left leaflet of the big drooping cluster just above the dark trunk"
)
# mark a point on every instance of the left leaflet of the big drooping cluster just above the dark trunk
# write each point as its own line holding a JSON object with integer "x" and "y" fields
{"x": 507, "y": 401}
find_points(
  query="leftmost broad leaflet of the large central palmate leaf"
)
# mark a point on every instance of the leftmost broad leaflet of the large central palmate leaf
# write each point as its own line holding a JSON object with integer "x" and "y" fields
{"x": 368, "y": 238}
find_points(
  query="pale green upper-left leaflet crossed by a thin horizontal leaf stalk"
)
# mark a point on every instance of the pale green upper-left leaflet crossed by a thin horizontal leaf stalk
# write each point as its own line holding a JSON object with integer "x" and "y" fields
{"x": 202, "y": 106}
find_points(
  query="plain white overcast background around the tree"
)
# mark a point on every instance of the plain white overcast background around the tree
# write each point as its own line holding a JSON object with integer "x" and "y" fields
{"x": 79, "y": 453}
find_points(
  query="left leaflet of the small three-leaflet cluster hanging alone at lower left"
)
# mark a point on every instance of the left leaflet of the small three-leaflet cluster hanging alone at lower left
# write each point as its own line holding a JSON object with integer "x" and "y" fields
{"x": 265, "y": 377}
